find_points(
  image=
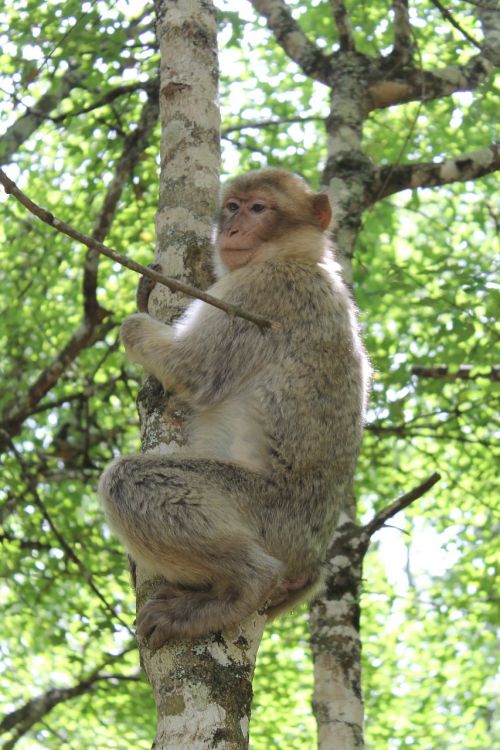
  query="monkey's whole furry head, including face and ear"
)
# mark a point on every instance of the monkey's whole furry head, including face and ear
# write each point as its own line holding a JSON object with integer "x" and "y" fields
{"x": 262, "y": 213}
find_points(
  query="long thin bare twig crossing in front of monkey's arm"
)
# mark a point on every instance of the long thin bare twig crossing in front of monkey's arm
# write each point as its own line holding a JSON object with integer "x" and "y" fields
{"x": 174, "y": 285}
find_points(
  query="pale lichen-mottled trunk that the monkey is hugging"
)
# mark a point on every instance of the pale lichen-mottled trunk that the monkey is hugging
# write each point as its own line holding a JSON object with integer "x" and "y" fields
{"x": 202, "y": 688}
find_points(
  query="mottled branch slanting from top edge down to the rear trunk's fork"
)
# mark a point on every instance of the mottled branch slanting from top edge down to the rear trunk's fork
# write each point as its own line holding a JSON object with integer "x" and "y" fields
{"x": 288, "y": 33}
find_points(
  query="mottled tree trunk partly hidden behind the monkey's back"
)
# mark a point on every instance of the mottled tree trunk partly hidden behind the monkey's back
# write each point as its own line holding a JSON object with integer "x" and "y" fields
{"x": 334, "y": 623}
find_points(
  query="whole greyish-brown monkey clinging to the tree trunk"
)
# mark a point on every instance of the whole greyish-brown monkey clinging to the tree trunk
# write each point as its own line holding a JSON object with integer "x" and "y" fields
{"x": 240, "y": 520}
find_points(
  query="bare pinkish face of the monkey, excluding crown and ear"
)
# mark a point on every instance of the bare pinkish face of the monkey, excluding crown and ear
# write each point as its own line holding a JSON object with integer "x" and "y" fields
{"x": 246, "y": 221}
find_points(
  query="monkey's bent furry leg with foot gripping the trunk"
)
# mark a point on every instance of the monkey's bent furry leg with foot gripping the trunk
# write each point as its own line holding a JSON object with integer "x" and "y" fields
{"x": 185, "y": 519}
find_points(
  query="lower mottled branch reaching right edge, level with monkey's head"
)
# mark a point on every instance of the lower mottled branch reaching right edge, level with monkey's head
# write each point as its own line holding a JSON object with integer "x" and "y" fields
{"x": 470, "y": 166}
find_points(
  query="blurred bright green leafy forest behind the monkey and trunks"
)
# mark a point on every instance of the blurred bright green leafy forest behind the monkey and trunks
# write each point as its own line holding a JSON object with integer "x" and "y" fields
{"x": 78, "y": 87}
